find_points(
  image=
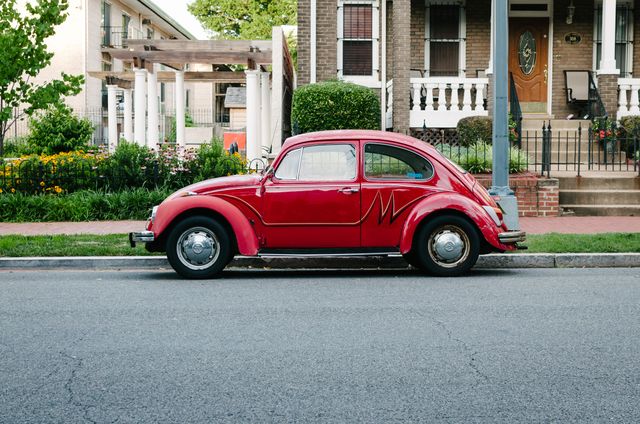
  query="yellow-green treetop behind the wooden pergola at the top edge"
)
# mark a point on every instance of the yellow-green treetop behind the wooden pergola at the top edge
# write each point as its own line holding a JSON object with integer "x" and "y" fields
{"x": 245, "y": 19}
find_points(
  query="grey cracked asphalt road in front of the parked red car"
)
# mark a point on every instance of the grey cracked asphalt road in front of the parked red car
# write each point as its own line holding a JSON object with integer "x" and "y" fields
{"x": 496, "y": 346}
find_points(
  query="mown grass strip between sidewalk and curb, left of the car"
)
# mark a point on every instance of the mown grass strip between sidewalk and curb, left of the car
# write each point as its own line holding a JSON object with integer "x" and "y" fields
{"x": 69, "y": 245}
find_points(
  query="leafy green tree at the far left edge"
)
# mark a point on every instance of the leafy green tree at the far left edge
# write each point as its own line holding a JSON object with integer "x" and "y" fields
{"x": 23, "y": 54}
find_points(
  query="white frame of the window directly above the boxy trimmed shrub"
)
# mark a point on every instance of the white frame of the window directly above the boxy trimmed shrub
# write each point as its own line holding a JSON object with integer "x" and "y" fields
{"x": 373, "y": 80}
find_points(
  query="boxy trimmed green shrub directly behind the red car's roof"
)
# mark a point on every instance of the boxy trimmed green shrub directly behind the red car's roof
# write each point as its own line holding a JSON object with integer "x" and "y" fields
{"x": 334, "y": 105}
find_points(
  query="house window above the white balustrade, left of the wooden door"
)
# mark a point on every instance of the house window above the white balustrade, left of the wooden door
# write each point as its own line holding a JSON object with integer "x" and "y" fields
{"x": 445, "y": 39}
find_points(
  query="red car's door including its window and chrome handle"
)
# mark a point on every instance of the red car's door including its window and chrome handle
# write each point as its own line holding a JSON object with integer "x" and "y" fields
{"x": 313, "y": 199}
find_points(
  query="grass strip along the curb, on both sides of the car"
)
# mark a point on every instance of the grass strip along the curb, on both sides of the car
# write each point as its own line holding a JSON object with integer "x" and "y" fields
{"x": 118, "y": 244}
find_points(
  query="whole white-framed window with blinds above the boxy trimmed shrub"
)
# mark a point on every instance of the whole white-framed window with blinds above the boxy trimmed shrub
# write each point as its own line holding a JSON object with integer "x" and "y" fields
{"x": 358, "y": 40}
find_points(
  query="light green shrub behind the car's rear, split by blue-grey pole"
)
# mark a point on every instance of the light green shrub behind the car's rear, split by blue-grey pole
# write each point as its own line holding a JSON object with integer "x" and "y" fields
{"x": 478, "y": 157}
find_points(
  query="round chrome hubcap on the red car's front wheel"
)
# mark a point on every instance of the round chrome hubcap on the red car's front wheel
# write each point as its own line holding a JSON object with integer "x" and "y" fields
{"x": 198, "y": 248}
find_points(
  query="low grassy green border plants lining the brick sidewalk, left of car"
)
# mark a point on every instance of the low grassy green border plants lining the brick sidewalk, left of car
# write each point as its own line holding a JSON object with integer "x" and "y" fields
{"x": 80, "y": 206}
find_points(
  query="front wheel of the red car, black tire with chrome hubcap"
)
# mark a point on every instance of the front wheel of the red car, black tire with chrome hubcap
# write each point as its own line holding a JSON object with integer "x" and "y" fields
{"x": 198, "y": 247}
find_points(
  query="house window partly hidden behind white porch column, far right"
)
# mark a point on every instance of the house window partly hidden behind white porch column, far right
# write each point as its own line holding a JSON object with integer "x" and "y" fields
{"x": 624, "y": 38}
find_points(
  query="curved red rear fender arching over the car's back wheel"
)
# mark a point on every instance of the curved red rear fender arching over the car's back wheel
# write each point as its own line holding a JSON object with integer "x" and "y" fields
{"x": 456, "y": 203}
